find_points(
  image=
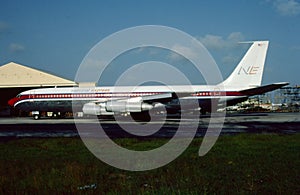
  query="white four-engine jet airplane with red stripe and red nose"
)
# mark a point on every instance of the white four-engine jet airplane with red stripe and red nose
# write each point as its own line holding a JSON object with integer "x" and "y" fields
{"x": 244, "y": 81}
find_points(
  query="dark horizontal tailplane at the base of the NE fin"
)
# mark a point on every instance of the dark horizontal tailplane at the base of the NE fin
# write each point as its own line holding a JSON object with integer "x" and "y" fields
{"x": 263, "y": 89}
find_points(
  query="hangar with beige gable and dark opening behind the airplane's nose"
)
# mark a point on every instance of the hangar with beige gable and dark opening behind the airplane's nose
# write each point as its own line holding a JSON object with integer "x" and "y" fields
{"x": 15, "y": 78}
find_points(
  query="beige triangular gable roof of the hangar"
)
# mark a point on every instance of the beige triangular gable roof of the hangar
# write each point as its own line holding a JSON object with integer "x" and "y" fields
{"x": 17, "y": 75}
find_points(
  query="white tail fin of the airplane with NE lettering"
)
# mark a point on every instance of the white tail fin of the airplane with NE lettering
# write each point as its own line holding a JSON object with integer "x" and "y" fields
{"x": 249, "y": 71}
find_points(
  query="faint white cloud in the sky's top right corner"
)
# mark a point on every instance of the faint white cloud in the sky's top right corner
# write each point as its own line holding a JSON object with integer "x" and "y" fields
{"x": 286, "y": 7}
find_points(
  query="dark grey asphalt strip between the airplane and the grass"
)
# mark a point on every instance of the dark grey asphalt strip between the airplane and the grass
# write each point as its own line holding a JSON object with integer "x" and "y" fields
{"x": 282, "y": 123}
